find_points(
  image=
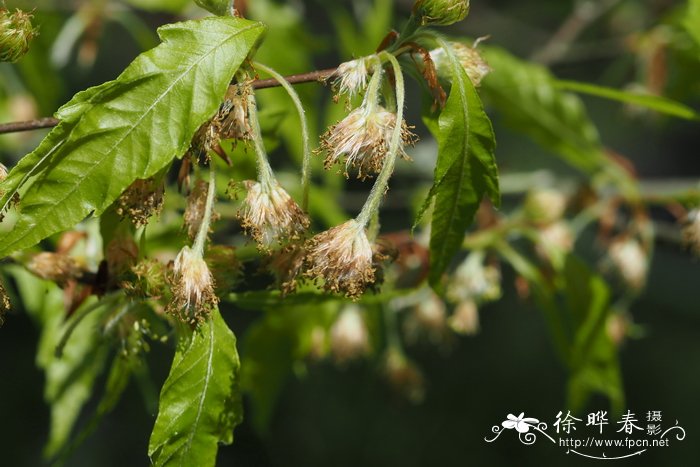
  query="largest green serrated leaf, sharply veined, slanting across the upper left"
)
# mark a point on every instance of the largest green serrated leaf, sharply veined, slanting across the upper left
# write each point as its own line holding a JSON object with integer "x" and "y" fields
{"x": 127, "y": 129}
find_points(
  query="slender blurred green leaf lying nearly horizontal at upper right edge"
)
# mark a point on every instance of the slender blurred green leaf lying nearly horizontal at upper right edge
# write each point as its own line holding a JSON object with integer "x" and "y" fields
{"x": 658, "y": 103}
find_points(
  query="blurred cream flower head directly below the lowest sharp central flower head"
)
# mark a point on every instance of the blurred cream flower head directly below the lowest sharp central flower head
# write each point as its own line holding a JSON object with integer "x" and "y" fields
{"x": 349, "y": 336}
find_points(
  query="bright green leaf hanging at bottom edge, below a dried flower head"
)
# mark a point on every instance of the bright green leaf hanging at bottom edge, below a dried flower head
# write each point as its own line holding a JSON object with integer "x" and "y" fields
{"x": 200, "y": 401}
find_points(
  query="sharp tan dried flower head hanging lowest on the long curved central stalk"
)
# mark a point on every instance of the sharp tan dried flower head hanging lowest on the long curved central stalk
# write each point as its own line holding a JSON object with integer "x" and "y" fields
{"x": 342, "y": 258}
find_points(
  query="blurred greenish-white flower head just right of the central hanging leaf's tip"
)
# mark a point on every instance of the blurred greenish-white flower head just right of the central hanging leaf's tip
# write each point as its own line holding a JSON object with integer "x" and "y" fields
{"x": 474, "y": 280}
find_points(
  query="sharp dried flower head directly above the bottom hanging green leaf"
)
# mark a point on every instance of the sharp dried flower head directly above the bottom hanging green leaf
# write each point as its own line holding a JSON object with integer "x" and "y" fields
{"x": 193, "y": 288}
